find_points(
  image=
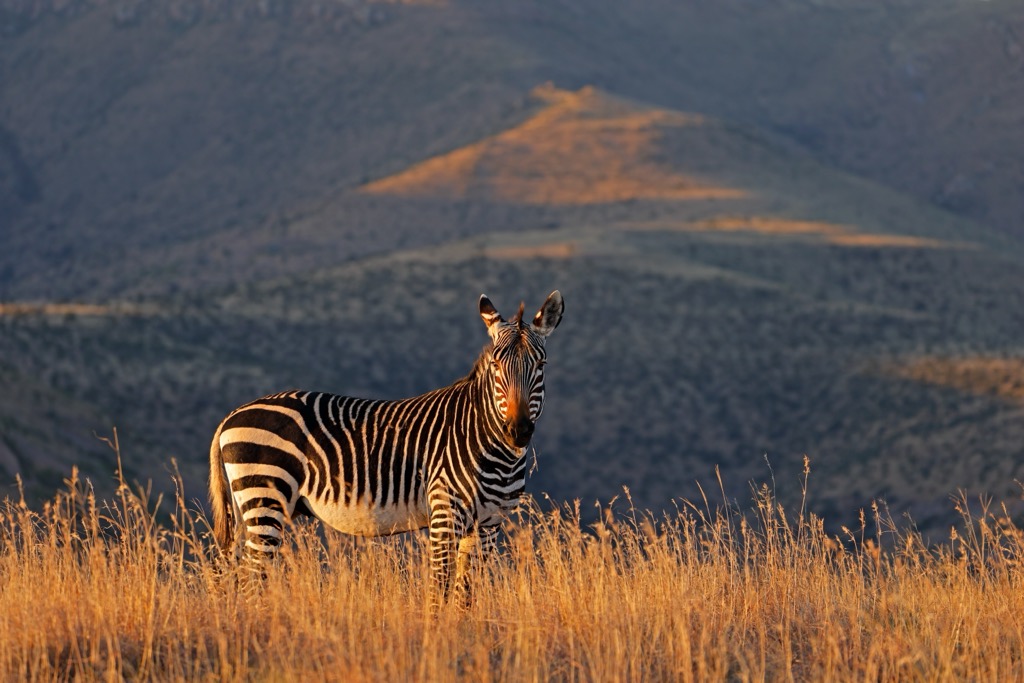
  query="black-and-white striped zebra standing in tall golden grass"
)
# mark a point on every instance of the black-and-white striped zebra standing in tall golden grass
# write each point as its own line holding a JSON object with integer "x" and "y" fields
{"x": 452, "y": 460}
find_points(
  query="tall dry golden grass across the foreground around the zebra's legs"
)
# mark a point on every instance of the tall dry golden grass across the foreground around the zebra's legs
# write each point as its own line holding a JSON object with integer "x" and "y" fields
{"x": 103, "y": 591}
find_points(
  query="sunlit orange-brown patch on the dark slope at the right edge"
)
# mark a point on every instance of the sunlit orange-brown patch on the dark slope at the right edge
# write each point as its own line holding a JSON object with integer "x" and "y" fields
{"x": 984, "y": 376}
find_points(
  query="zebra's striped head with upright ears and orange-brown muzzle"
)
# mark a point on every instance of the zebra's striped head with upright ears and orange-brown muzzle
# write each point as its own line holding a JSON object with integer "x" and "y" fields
{"x": 518, "y": 361}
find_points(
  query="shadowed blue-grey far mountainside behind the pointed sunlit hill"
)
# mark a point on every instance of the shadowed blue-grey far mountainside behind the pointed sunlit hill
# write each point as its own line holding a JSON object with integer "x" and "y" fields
{"x": 150, "y": 148}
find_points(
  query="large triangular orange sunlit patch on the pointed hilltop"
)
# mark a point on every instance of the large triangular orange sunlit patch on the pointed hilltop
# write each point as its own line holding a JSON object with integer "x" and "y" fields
{"x": 582, "y": 148}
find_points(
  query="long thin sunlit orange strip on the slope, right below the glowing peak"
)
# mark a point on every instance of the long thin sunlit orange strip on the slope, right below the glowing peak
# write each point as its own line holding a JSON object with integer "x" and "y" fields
{"x": 832, "y": 234}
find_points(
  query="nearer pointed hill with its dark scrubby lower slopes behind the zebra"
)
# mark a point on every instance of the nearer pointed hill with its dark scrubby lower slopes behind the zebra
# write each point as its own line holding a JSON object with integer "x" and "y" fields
{"x": 728, "y": 316}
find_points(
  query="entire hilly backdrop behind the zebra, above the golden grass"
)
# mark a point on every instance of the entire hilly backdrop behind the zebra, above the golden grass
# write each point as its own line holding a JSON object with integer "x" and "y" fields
{"x": 239, "y": 199}
